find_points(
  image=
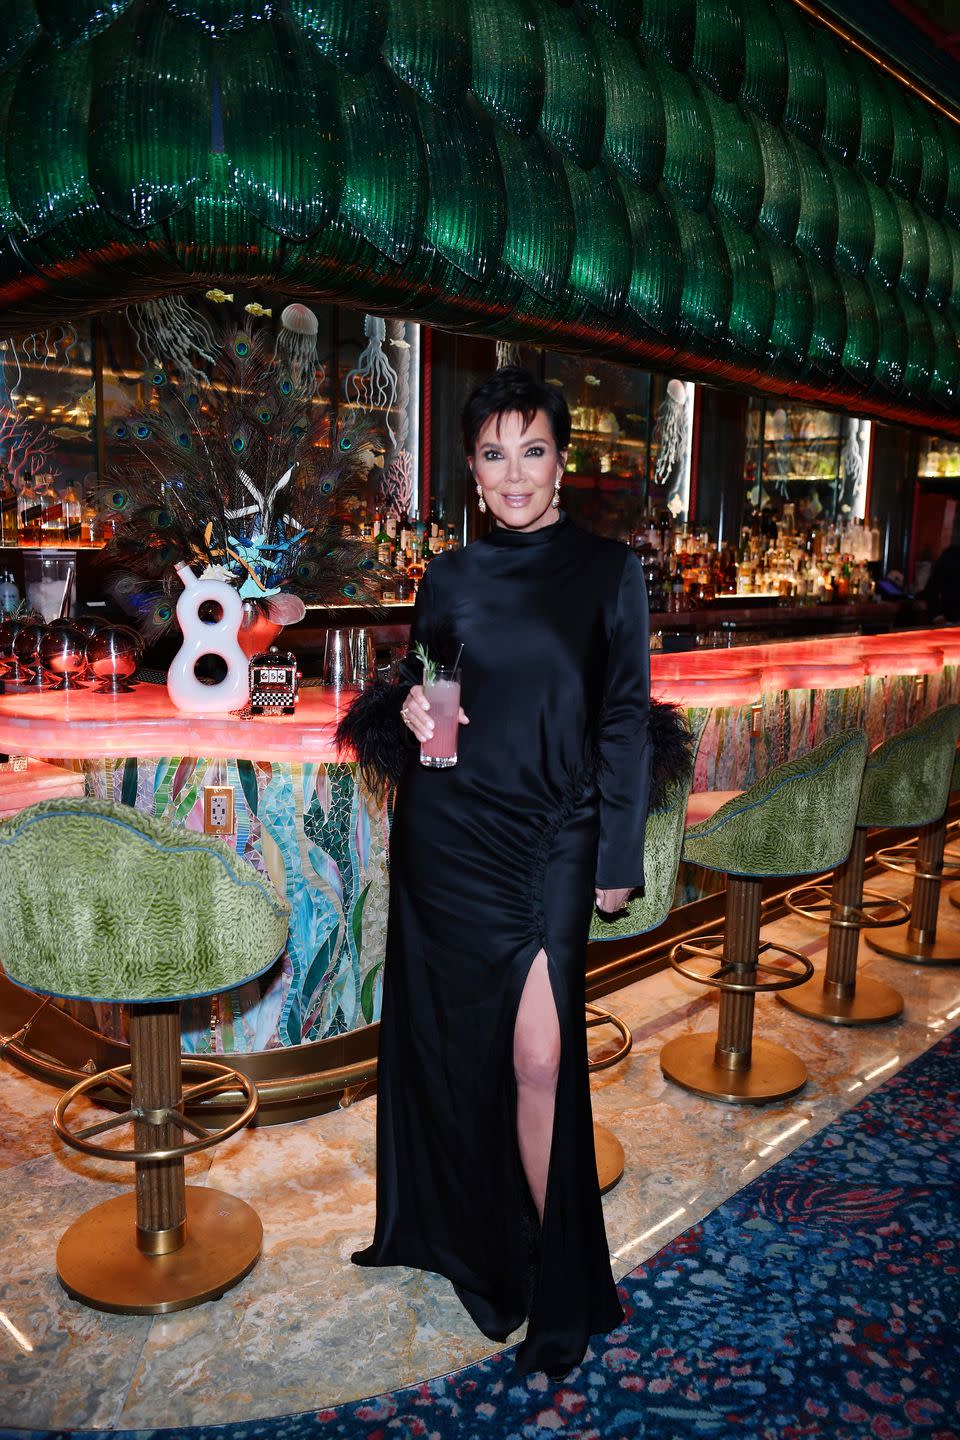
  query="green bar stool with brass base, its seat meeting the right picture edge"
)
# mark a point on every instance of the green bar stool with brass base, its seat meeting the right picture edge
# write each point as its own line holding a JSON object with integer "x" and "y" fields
{"x": 902, "y": 790}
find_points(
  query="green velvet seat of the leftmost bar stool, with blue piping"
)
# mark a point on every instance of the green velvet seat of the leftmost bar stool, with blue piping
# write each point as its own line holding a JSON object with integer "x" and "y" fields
{"x": 101, "y": 902}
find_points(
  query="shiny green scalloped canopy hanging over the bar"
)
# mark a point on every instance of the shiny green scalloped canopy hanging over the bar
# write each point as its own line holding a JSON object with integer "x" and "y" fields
{"x": 717, "y": 186}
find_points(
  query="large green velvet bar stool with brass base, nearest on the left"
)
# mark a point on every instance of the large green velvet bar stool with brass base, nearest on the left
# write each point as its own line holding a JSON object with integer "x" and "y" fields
{"x": 103, "y": 904}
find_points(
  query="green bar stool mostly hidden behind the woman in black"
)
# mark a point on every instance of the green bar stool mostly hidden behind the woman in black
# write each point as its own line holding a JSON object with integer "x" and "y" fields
{"x": 663, "y": 845}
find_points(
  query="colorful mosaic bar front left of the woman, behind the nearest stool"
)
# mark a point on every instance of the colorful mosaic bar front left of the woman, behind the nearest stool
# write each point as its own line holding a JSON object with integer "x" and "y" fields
{"x": 323, "y": 842}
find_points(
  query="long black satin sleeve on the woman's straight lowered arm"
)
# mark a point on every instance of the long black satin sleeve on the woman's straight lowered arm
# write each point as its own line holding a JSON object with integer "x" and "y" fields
{"x": 625, "y": 751}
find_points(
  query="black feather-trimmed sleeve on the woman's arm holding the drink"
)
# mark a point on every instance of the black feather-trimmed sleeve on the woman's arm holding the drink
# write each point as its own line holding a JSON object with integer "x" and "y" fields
{"x": 372, "y": 726}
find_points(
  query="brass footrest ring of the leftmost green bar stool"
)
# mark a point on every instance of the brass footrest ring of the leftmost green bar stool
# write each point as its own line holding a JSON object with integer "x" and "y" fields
{"x": 221, "y": 1078}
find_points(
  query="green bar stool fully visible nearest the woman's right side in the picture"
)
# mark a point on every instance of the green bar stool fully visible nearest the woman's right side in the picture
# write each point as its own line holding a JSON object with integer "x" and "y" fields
{"x": 798, "y": 820}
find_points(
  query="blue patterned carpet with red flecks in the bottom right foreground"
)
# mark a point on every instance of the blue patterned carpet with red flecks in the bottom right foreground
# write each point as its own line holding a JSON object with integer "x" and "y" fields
{"x": 823, "y": 1301}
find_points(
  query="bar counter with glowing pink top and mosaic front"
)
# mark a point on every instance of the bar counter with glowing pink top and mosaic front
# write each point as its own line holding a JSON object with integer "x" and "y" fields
{"x": 304, "y": 817}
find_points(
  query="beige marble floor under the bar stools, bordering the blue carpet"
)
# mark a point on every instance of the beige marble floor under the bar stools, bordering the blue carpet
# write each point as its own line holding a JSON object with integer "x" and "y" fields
{"x": 306, "y": 1328}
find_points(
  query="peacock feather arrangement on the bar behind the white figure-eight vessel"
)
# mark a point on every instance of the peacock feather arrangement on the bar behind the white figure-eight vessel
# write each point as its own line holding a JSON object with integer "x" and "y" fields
{"x": 245, "y": 477}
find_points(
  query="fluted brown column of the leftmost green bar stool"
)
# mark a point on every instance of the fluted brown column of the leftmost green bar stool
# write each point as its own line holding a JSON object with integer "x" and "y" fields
{"x": 155, "y": 1045}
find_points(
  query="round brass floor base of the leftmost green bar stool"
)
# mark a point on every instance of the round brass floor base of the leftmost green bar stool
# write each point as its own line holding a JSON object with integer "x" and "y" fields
{"x": 99, "y": 1261}
